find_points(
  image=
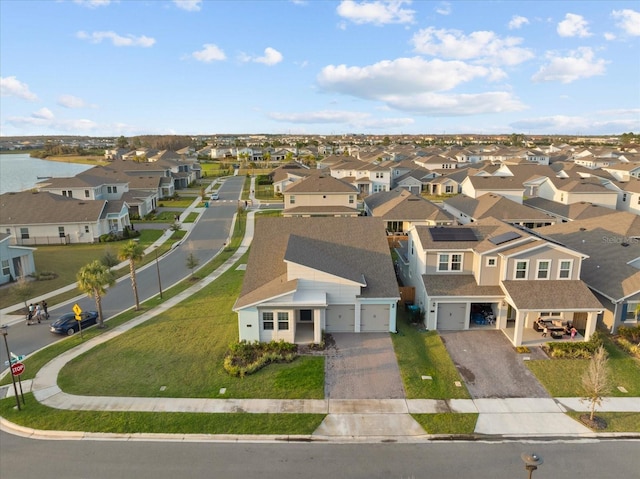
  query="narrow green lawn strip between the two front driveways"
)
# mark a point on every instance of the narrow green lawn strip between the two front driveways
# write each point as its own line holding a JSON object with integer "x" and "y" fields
{"x": 420, "y": 354}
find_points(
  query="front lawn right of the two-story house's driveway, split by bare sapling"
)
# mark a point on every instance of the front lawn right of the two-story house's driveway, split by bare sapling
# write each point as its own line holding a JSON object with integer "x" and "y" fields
{"x": 563, "y": 377}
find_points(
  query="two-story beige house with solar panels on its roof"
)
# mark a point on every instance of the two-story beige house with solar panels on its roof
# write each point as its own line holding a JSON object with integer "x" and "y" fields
{"x": 458, "y": 271}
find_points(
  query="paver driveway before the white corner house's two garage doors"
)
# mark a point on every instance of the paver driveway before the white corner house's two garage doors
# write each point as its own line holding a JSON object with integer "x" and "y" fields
{"x": 362, "y": 366}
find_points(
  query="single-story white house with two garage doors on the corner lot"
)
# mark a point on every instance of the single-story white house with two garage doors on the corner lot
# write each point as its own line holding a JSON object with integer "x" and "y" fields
{"x": 309, "y": 275}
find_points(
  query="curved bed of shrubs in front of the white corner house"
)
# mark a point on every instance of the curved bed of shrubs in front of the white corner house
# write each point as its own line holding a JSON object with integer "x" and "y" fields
{"x": 244, "y": 358}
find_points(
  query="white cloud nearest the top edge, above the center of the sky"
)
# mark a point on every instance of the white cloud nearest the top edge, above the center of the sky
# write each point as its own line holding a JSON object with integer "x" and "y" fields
{"x": 380, "y": 12}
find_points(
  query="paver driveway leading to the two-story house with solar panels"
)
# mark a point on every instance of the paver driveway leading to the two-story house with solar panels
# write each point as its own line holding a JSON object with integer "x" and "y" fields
{"x": 490, "y": 366}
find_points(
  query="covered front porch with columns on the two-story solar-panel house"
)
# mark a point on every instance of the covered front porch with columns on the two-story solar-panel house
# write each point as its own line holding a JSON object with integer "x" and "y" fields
{"x": 570, "y": 302}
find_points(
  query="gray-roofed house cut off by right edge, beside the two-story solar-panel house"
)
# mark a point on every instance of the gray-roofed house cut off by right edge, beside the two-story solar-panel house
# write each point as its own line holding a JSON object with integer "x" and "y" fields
{"x": 611, "y": 268}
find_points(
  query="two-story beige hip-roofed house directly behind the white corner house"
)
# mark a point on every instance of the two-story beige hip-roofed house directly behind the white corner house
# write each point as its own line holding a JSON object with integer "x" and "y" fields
{"x": 320, "y": 195}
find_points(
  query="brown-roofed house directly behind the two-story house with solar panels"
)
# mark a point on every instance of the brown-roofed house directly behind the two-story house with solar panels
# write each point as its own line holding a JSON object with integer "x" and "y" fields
{"x": 468, "y": 210}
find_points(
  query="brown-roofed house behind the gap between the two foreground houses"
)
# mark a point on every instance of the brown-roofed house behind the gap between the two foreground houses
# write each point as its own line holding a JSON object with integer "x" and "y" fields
{"x": 400, "y": 209}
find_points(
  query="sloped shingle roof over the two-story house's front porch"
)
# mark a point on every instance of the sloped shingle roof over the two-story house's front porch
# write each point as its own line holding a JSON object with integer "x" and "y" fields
{"x": 551, "y": 295}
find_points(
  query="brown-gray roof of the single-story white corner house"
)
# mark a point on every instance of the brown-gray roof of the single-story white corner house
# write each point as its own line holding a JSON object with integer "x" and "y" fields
{"x": 350, "y": 248}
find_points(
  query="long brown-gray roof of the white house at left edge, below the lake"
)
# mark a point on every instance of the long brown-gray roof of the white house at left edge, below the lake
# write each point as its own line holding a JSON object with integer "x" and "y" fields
{"x": 33, "y": 208}
